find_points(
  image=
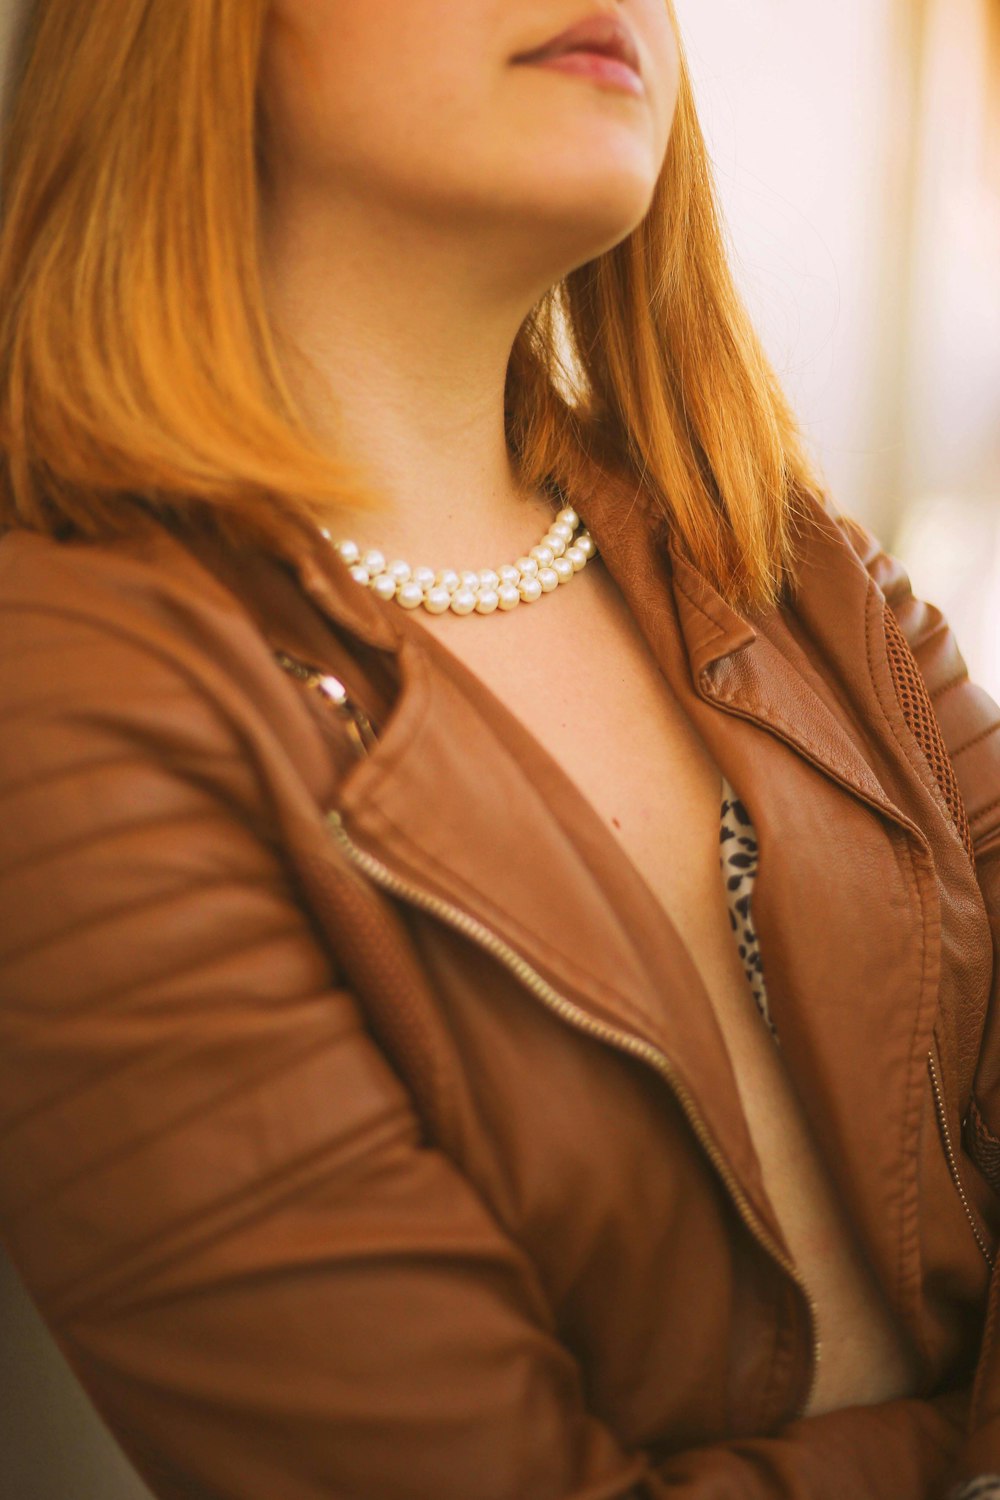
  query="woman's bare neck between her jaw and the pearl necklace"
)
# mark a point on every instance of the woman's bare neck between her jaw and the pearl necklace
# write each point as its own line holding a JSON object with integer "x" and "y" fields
{"x": 400, "y": 362}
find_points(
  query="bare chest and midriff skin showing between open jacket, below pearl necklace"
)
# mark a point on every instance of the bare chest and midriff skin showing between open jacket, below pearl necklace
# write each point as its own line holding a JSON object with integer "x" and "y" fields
{"x": 582, "y": 679}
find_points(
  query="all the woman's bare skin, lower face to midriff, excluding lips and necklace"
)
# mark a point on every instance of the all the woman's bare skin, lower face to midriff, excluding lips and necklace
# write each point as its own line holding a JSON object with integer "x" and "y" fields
{"x": 422, "y": 193}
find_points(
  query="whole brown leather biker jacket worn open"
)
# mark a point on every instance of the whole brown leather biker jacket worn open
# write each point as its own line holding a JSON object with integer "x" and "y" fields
{"x": 365, "y": 1130}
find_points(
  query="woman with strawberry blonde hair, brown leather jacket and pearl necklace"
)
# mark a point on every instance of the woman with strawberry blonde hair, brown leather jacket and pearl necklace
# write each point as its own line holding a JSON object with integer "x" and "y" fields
{"x": 397, "y": 1102}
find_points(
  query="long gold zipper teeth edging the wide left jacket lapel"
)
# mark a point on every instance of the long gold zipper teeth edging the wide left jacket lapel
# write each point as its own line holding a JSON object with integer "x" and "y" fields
{"x": 620, "y": 1039}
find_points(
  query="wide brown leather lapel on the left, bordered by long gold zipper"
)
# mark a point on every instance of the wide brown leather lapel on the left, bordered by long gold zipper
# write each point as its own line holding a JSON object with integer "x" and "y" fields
{"x": 463, "y": 803}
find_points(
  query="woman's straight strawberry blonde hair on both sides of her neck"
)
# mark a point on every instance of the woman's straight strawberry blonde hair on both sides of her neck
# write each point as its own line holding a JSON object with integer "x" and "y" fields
{"x": 139, "y": 370}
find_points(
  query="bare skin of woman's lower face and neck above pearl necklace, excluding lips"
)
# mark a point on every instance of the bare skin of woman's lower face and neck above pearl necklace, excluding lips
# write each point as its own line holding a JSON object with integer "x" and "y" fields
{"x": 424, "y": 194}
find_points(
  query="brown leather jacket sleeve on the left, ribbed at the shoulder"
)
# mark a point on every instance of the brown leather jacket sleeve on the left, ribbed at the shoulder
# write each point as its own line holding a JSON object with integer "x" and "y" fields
{"x": 217, "y": 1189}
